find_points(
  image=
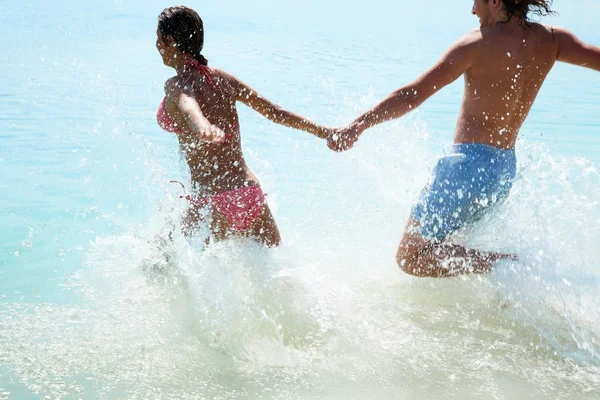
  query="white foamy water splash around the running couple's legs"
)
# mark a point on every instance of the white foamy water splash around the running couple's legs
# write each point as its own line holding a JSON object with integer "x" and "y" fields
{"x": 233, "y": 320}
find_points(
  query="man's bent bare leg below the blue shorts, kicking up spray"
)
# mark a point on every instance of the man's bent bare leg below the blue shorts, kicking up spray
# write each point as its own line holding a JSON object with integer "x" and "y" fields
{"x": 428, "y": 259}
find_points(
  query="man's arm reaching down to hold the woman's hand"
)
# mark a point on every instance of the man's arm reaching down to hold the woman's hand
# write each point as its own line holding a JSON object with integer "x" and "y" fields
{"x": 455, "y": 62}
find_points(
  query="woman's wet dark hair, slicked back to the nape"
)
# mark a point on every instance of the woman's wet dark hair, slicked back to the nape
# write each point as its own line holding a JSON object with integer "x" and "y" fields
{"x": 186, "y": 27}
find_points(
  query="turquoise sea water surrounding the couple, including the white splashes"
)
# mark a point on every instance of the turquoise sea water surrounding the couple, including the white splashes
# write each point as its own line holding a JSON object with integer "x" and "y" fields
{"x": 84, "y": 171}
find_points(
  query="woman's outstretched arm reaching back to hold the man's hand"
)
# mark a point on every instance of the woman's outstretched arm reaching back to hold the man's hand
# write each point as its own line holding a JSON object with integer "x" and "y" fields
{"x": 275, "y": 113}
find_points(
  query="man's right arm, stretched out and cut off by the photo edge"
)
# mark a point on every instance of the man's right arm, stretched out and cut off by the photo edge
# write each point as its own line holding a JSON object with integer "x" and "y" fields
{"x": 572, "y": 50}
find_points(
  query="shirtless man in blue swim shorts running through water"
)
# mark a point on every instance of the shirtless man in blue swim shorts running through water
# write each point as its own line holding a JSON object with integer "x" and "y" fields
{"x": 504, "y": 63}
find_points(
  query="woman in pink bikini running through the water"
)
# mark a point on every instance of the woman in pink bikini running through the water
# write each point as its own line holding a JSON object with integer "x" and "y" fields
{"x": 200, "y": 107}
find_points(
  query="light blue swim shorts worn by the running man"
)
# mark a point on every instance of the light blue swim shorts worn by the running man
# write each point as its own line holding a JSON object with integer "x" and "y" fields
{"x": 463, "y": 185}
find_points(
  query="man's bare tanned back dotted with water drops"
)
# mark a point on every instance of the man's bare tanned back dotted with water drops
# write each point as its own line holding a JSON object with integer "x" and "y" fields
{"x": 509, "y": 64}
